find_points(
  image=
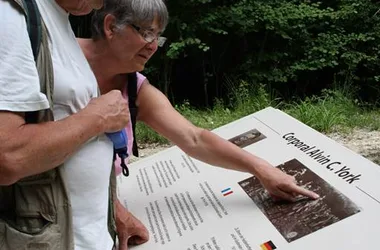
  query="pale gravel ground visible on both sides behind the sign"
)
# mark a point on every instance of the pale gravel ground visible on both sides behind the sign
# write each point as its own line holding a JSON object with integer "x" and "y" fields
{"x": 366, "y": 143}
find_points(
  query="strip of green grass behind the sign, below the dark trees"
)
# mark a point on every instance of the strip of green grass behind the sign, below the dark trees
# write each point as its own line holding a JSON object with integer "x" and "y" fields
{"x": 333, "y": 110}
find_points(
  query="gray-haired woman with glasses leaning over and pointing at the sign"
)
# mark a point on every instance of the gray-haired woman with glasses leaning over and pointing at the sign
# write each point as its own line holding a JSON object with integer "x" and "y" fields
{"x": 126, "y": 33}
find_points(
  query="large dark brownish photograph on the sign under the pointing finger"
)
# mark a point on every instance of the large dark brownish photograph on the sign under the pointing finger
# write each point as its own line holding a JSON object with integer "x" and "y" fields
{"x": 305, "y": 216}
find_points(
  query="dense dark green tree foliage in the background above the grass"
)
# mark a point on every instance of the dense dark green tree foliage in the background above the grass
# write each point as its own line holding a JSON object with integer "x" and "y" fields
{"x": 295, "y": 48}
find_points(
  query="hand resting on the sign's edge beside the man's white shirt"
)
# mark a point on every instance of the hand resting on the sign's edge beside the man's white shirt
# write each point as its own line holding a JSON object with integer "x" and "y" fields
{"x": 130, "y": 230}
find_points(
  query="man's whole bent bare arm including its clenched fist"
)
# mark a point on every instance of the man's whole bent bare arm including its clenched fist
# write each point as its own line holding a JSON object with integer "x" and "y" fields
{"x": 28, "y": 149}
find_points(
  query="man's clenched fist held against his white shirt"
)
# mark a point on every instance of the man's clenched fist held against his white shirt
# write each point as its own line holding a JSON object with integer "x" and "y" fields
{"x": 112, "y": 110}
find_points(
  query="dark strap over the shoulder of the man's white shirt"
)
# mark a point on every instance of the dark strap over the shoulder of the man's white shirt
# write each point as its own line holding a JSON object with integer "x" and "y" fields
{"x": 33, "y": 20}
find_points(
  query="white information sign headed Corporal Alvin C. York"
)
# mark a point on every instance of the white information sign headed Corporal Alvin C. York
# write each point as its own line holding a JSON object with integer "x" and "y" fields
{"x": 187, "y": 204}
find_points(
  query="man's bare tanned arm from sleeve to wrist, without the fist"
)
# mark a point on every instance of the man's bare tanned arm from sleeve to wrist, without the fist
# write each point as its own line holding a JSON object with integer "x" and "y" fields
{"x": 28, "y": 149}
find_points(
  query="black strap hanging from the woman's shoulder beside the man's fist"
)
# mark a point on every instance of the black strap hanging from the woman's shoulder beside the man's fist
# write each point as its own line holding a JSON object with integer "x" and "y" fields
{"x": 133, "y": 109}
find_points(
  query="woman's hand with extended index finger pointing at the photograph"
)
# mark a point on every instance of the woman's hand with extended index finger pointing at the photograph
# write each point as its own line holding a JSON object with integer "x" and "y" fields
{"x": 282, "y": 186}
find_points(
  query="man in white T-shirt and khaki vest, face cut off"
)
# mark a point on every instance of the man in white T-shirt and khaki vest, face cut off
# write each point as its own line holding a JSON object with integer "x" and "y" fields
{"x": 43, "y": 206}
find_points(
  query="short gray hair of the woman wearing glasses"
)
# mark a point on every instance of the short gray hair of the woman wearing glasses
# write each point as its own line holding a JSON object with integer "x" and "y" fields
{"x": 137, "y": 12}
